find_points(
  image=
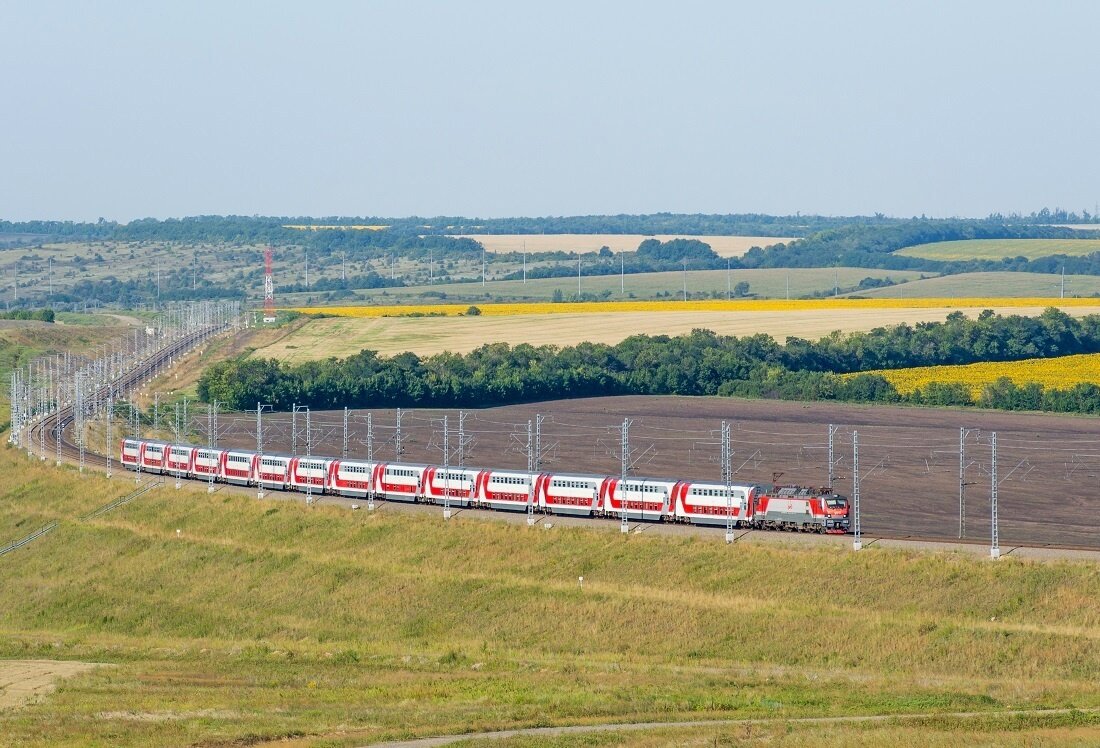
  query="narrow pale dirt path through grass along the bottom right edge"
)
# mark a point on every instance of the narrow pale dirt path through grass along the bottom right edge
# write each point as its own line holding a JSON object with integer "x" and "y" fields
{"x": 580, "y": 730}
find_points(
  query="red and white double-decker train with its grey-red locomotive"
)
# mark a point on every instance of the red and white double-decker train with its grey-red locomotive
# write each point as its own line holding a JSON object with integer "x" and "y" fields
{"x": 578, "y": 494}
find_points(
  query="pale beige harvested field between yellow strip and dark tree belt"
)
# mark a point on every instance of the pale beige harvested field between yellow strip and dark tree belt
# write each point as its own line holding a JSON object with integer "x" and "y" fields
{"x": 346, "y": 336}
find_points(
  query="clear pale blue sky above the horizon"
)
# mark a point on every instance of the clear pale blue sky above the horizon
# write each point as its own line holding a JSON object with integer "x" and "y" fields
{"x": 125, "y": 111}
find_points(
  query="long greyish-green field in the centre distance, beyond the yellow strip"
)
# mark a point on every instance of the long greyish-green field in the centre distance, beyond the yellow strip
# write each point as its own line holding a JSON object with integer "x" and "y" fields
{"x": 771, "y": 283}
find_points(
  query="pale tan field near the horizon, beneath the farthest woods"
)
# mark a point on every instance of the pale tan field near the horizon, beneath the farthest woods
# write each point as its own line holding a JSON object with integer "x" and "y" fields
{"x": 725, "y": 247}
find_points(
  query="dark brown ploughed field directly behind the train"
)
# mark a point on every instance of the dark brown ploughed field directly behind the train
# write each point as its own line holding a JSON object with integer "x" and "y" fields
{"x": 1049, "y": 467}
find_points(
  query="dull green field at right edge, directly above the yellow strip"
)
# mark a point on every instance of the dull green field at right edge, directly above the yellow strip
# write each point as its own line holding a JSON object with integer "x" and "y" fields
{"x": 1046, "y": 285}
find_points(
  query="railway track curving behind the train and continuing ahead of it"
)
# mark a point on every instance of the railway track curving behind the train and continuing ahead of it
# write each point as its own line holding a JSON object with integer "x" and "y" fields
{"x": 129, "y": 381}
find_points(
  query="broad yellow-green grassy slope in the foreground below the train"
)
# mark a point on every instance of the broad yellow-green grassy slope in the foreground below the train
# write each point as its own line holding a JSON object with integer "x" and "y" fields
{"x": 270, "y": 620}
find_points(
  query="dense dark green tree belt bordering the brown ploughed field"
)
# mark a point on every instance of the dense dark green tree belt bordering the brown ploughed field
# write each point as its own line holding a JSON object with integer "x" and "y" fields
{"x": 700, "y": 364}
